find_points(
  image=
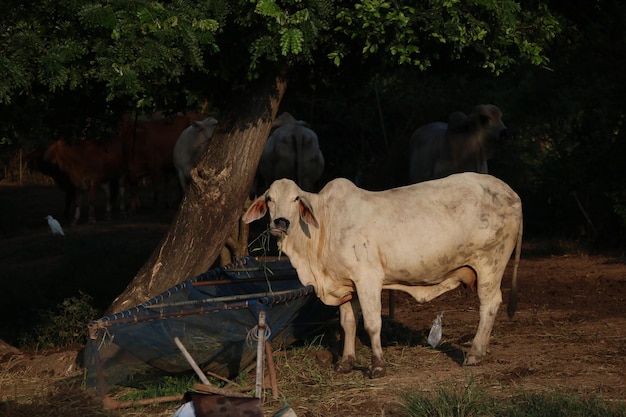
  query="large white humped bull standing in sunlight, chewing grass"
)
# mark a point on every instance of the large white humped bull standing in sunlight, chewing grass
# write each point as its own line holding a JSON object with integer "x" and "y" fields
{"x": 424, "y": 239}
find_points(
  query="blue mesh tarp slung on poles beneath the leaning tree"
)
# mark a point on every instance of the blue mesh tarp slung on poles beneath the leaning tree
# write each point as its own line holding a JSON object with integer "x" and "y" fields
{"x": 213, "y": 314}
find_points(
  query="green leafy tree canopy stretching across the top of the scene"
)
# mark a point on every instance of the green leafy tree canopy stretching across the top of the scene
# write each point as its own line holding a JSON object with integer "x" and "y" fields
{"x": 87, "y": 60}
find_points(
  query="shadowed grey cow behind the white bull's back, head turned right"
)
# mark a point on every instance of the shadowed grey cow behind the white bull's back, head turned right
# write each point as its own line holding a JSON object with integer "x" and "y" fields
{"x": 464, "y": 144}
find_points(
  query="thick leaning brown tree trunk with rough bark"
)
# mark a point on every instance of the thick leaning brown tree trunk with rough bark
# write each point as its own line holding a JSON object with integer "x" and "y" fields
{"x": 215, "y": 199}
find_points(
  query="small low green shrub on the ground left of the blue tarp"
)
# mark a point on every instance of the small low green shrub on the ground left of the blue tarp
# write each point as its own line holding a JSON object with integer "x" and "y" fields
{"x": 64, "y": 326}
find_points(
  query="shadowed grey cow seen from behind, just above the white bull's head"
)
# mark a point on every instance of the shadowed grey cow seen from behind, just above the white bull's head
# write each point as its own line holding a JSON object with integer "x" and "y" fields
{"x": 292, "y": 151}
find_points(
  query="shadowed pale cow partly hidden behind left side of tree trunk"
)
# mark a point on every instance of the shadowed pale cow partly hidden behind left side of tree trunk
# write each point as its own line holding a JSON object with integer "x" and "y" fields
{"x": 190, "y": 147}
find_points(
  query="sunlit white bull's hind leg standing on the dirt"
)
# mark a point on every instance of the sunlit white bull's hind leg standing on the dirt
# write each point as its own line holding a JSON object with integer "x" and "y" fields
{"x": 490, "y": 297}
